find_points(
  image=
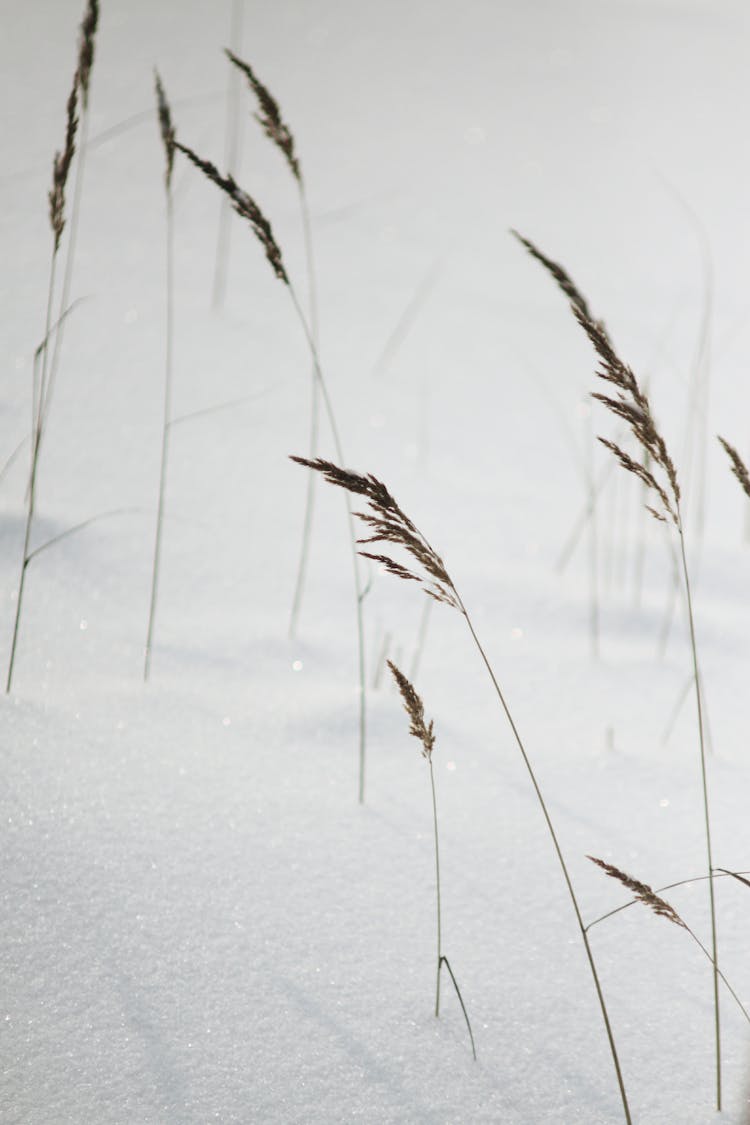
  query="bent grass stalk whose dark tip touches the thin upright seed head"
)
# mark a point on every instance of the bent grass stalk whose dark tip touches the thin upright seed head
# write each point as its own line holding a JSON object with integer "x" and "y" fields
{"x": 247, "y": 208}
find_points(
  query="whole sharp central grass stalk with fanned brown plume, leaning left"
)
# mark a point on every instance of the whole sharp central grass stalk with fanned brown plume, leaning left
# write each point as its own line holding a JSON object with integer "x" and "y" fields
{"x": 390, "y": 525}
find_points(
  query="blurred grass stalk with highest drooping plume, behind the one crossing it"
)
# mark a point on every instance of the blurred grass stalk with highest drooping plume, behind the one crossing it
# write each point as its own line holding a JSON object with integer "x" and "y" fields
{"x": 281, "y": 136}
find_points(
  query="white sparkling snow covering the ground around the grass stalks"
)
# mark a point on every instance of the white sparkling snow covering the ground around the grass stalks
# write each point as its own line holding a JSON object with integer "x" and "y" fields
{"x": 200, "y": 923}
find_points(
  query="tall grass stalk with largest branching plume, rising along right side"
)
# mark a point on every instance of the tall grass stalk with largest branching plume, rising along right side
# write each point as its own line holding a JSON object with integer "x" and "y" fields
{"x": 631, "y": 404}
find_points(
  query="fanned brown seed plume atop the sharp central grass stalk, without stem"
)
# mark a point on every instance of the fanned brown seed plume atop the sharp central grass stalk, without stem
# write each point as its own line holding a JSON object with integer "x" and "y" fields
{"x": 391, "y": 525}
